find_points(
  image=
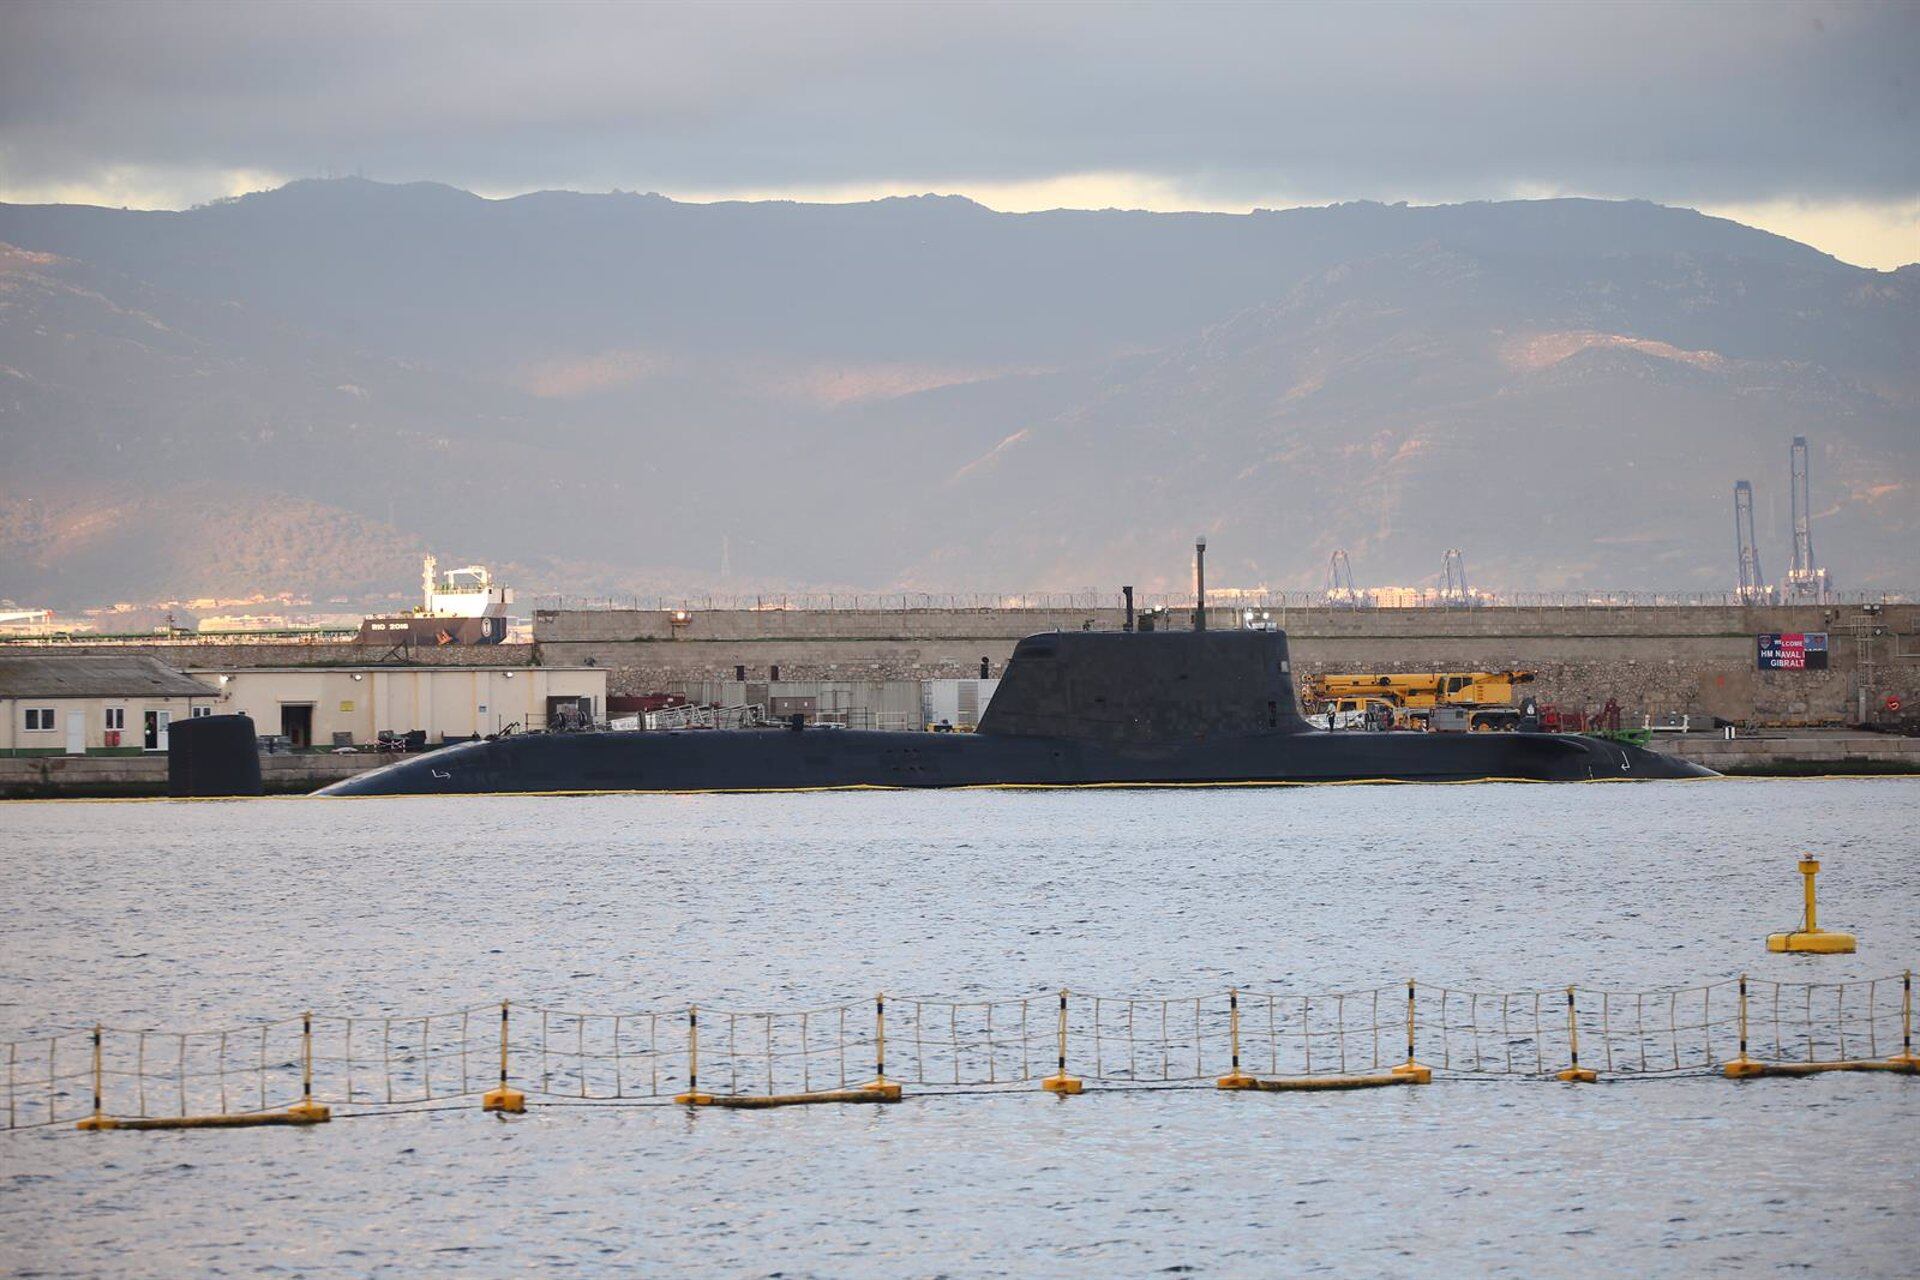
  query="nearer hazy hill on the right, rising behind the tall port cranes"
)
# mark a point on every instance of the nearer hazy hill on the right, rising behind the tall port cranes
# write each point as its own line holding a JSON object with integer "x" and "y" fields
{"x": 1378, "y": 410}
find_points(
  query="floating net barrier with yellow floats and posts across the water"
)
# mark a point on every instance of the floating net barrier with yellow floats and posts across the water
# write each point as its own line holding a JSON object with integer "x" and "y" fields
{"x": 510, "y": 1056}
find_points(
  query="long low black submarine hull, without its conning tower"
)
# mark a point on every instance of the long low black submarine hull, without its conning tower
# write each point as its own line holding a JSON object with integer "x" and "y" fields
{"x": 828, "y": 759}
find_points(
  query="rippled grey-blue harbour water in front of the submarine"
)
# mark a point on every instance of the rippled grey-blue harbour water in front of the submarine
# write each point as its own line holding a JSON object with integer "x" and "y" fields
{"x": 181, "y": 914}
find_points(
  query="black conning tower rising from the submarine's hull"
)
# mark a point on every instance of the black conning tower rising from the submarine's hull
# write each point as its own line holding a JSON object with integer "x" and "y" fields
{"x": 1147, "y": 688}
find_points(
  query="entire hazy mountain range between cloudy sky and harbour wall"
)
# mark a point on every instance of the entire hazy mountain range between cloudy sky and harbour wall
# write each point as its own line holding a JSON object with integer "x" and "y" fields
{"x": 302, "y": 389}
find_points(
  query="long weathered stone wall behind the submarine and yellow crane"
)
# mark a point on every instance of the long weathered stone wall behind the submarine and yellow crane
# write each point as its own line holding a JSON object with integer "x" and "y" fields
{"x": 1689, "y": 659}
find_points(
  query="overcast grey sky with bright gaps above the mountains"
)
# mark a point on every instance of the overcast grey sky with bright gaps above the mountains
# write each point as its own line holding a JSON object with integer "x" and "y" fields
{"x": 1794, "y": 116}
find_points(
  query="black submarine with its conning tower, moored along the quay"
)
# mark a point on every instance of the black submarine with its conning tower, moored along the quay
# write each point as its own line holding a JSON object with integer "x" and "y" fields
{"x": 1076, "y": 709}
